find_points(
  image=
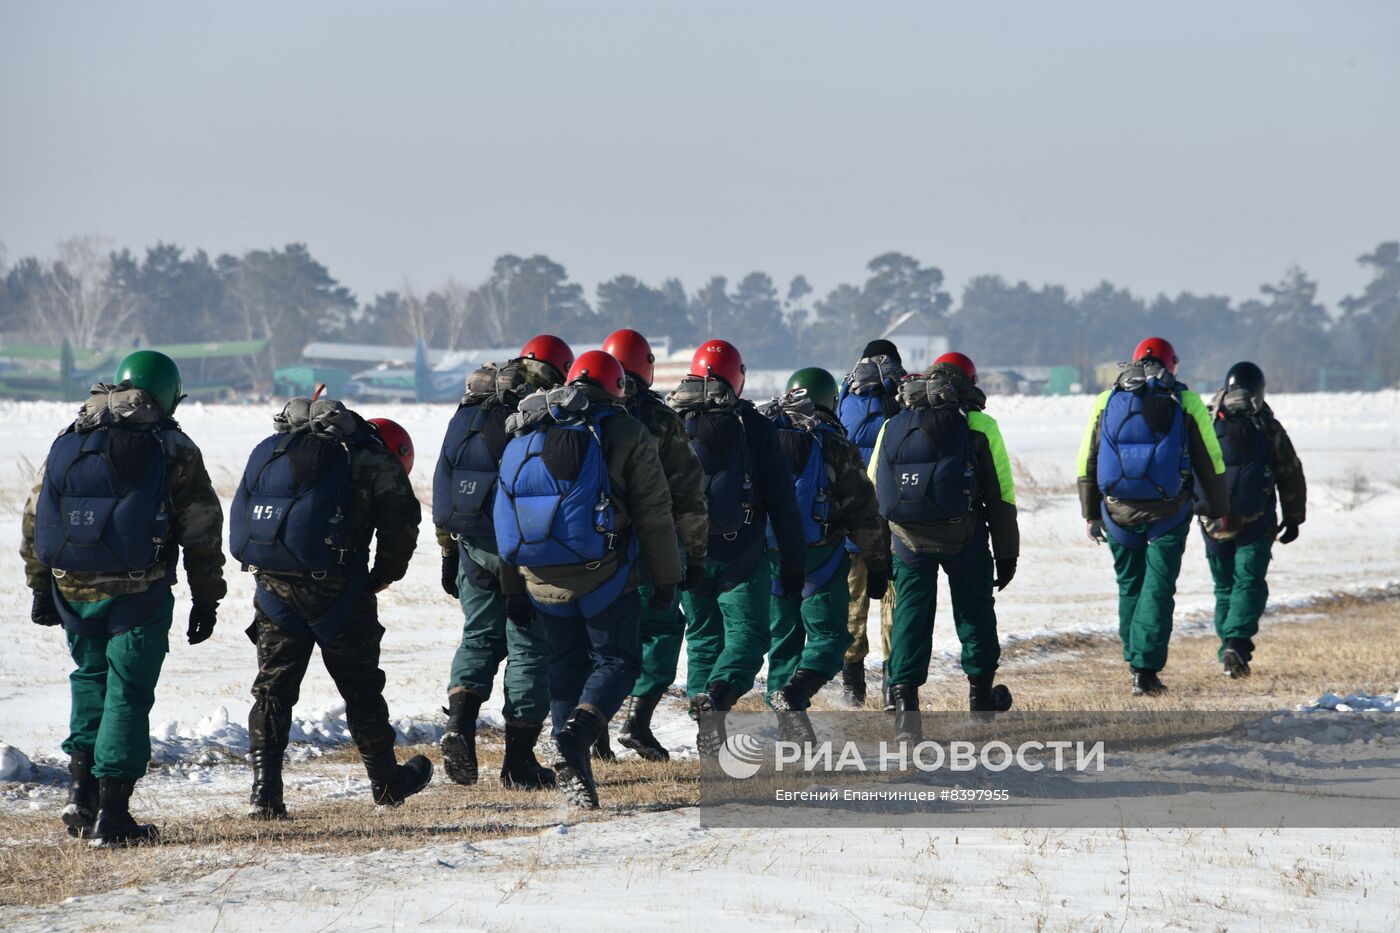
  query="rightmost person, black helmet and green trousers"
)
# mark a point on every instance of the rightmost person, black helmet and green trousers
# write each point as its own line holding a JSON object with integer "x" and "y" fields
{"x": 1263, "y": 476}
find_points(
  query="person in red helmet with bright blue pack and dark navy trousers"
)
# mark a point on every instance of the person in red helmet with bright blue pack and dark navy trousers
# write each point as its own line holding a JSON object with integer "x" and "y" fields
{"x": 582, "y": 497}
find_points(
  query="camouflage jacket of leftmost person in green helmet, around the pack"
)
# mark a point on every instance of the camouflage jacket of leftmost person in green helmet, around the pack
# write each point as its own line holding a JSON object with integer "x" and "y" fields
{"x": 198, "y": 520}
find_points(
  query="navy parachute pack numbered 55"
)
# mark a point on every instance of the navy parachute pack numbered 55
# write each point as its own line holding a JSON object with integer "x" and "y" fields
{"x": 926, "y": 471}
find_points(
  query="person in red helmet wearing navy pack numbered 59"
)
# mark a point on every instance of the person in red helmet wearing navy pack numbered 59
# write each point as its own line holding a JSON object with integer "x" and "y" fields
{"x": 464, "y": 490}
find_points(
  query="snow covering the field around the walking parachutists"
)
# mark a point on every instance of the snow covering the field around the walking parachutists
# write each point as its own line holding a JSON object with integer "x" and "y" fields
{"x": 667, "y": 865}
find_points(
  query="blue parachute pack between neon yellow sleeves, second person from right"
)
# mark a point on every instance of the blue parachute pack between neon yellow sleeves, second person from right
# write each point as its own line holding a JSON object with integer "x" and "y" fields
{"x": 1144, "y": 455}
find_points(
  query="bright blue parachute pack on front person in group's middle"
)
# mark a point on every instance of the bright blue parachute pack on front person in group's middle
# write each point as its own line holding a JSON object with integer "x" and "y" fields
{"x": 555, "y": 508}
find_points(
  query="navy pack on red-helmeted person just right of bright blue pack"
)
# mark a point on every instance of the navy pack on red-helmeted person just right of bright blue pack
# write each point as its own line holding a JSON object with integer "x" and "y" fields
{"x": 715, "y": 428}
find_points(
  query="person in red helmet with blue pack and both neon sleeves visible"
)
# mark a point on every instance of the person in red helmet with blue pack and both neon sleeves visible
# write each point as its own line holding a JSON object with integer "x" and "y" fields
{"x": 1147, "y": 452}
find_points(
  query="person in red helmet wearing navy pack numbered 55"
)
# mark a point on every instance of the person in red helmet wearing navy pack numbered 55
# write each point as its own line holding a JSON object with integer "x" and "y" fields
{"x": 940, "y": 523}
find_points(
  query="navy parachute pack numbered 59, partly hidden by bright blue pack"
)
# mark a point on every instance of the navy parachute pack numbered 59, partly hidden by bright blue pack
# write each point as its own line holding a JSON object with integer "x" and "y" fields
{"x": 464, "y": 483}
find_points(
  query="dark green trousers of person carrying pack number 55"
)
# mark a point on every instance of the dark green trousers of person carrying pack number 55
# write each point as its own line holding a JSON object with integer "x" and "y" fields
{"x": 975, "y": 620}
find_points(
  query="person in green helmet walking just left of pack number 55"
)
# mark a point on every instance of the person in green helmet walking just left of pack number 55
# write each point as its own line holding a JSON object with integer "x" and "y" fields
{"x": 836, "y": 502}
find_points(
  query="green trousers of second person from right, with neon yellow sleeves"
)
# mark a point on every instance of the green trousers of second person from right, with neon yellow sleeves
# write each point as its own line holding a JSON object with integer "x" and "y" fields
{"x": 1147, "y": 596}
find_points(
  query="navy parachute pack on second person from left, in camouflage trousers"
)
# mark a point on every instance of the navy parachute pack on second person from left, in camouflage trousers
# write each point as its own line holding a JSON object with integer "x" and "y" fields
{"x": 289, "y": 511}
